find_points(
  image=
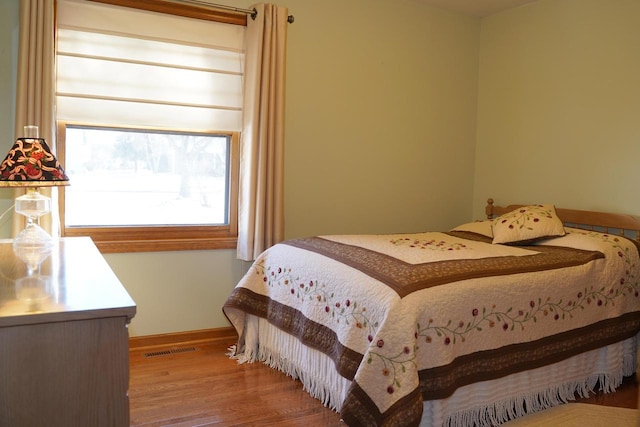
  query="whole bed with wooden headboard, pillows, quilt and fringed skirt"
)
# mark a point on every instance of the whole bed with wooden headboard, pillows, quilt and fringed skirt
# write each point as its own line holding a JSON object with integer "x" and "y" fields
{"x": 478, "y": 325}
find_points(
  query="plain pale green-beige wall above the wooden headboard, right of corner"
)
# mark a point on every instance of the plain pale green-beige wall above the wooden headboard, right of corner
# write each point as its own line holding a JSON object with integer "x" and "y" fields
{"x": 559, "y": 105}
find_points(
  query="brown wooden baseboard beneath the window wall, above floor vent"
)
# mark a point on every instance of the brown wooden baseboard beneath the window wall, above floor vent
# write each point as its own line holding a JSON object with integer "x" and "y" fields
{"x": 182, "y": 338}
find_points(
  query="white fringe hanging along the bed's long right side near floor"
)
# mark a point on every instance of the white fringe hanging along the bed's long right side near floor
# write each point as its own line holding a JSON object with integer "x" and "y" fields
{"x": 506, "y": 410}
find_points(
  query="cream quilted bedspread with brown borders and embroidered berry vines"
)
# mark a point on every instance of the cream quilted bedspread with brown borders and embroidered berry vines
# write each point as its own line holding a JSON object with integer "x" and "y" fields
{"x": 411, "y": 317}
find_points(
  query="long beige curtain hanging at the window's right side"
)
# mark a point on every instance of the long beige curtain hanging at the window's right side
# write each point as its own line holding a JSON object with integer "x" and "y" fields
{"x": 261, "y": 202}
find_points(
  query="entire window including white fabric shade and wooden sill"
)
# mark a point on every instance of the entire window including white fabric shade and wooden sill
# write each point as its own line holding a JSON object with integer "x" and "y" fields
{"x": 149, "y": 114}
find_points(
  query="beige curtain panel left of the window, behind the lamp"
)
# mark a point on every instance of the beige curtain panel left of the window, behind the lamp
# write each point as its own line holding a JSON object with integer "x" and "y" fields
{"x": 36, "y": 84}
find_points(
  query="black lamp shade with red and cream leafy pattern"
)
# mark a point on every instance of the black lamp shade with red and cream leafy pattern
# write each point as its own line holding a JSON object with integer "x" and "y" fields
{"x": 30, "y": 163}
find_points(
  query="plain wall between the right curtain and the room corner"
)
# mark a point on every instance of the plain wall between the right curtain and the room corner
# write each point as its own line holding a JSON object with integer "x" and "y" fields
{"x": 380, "y": 116}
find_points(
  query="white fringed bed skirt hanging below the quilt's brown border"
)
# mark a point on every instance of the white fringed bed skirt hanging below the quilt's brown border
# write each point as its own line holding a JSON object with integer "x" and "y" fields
{"x": 316, "y": 372}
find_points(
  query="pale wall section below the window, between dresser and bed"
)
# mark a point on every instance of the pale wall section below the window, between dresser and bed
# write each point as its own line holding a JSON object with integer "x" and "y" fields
{"x": 177, "y": 291}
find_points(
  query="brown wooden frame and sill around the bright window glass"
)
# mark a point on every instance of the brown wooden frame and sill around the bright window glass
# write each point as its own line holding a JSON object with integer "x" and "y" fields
{"x": 116, "y": 239}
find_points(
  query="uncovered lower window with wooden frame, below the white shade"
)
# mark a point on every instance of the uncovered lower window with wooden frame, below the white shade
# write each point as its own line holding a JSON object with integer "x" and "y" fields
{"x": 132, "y": 186}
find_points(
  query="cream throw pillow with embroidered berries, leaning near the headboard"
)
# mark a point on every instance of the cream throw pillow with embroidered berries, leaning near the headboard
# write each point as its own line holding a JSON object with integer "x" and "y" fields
{"x": 527, "y": 224}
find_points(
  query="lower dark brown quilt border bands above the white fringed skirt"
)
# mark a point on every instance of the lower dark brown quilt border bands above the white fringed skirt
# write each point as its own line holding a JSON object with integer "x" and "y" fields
{"x": 442, "y": 381}
